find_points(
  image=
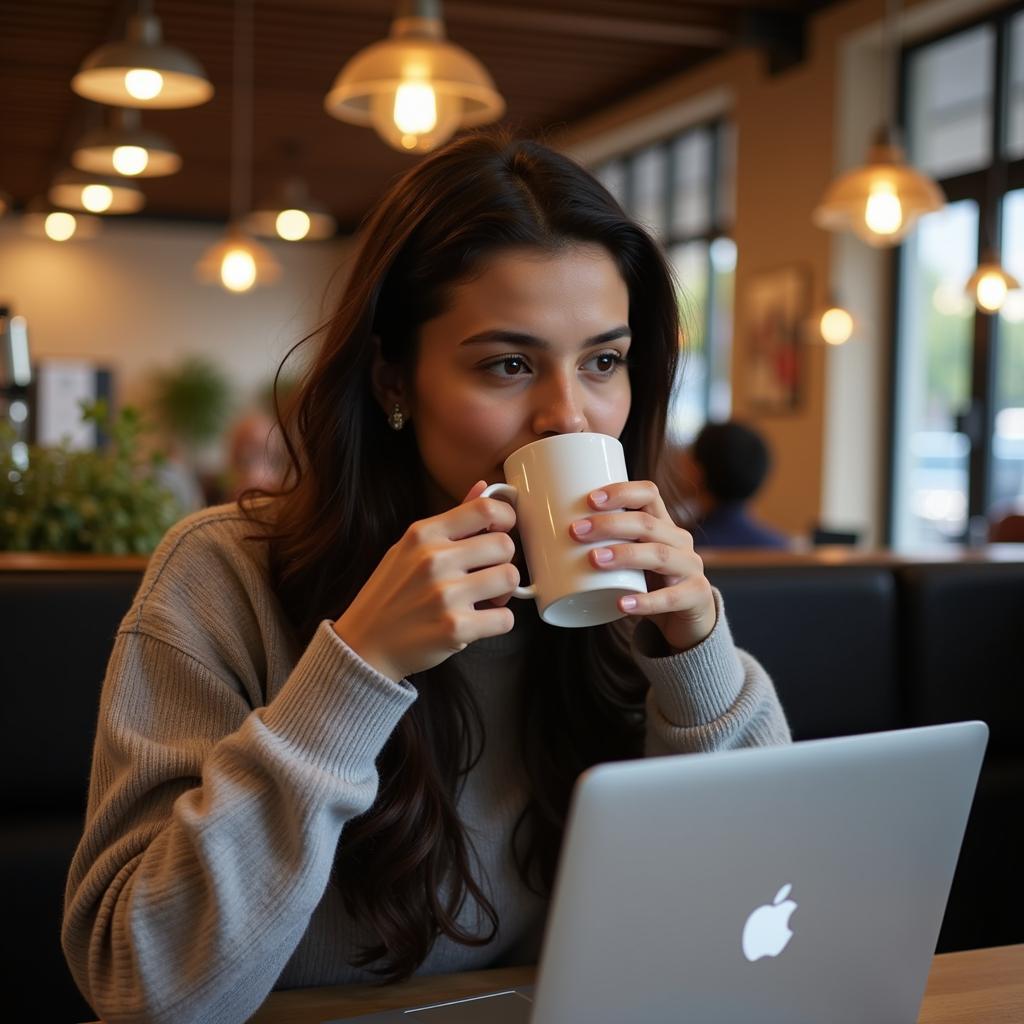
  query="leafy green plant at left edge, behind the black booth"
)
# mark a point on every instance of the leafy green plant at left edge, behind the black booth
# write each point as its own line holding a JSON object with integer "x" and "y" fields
{"x": 106, "y": 502}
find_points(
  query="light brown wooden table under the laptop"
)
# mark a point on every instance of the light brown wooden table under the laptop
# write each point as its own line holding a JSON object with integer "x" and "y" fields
{"x": 982, "y": 987}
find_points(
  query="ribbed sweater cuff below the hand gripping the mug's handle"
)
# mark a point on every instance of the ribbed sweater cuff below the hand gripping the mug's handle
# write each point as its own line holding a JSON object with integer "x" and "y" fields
{"x": 335, "y": 709}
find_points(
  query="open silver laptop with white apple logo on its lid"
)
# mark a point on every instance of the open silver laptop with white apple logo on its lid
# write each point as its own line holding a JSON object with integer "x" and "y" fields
{"x": 792, "y": 884}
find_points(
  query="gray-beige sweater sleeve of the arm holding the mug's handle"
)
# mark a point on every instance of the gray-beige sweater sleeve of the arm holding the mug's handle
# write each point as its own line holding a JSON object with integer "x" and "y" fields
{"x": 212, "y": 827}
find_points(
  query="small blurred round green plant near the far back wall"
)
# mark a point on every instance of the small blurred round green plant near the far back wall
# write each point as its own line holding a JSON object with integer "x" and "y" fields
{"x": 193, "y": 401}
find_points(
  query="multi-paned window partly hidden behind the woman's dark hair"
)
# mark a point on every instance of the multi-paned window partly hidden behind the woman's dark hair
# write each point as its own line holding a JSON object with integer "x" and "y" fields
{"x": 681, "y": 190}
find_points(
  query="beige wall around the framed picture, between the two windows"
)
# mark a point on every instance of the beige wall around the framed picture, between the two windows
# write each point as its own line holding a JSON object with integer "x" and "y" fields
{"x": 790, "y": 145}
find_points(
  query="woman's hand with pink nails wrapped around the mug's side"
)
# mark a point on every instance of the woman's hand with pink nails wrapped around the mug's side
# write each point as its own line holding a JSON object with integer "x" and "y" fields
{"x": 642, "y": 536}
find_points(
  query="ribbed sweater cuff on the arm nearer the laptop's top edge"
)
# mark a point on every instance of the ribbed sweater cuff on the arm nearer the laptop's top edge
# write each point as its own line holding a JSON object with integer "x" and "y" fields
{"x": 694, "y": 688}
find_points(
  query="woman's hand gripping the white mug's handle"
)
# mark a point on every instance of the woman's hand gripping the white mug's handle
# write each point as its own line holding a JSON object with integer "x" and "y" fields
{"x": 420, "y": 605}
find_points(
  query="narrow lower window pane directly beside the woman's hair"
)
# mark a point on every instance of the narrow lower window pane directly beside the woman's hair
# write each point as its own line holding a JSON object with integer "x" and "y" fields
{"x": 690, "y": 405}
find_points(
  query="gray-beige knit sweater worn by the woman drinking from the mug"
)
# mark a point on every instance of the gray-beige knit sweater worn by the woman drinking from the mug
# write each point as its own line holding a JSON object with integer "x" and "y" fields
{"x": 228, "y": 762}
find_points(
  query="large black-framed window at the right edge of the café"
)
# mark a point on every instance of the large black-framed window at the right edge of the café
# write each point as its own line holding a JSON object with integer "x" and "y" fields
{"x": 959, "y": 397}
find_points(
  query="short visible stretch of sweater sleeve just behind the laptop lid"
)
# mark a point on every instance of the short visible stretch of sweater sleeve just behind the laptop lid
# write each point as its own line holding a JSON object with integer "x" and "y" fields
{"x": 711, "y": 698}
